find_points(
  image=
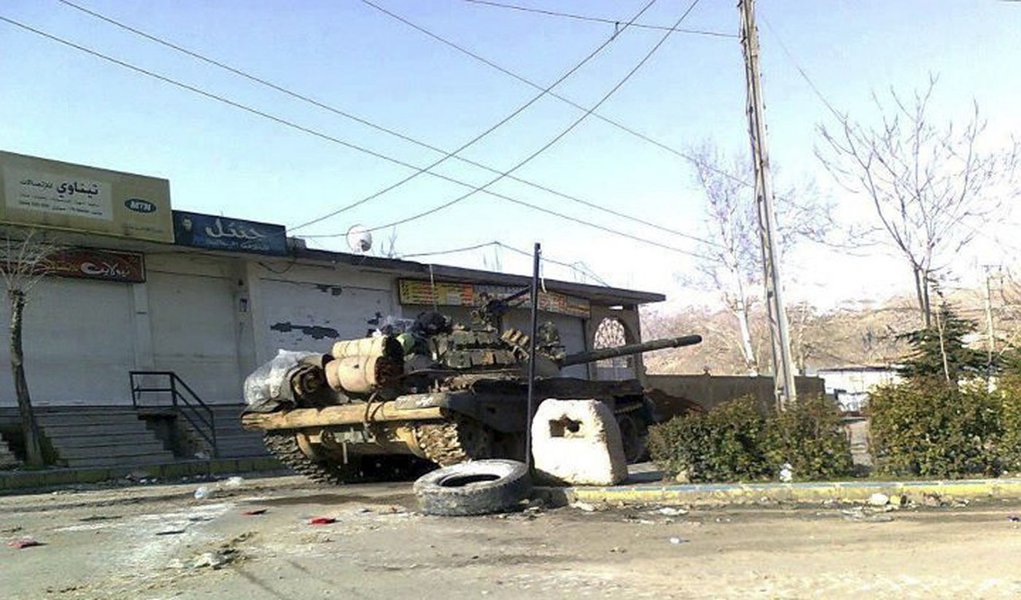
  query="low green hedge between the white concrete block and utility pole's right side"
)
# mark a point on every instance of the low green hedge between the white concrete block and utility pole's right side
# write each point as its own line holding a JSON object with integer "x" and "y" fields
{"x": 735, "y": 442}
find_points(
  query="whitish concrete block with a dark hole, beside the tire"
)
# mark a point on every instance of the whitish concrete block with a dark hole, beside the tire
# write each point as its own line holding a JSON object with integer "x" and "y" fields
{"x": 578, "y": 442}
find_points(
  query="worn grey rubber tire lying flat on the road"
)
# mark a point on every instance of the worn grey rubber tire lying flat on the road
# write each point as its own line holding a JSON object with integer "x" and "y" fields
{"x": 442, "y": 494}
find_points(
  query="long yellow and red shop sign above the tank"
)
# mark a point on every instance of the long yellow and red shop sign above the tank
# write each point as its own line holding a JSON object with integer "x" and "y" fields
{"x": 453, "y": 294}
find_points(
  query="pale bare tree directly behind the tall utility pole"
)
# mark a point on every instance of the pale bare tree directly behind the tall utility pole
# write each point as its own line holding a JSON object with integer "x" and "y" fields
{"x": 733, "y": 264}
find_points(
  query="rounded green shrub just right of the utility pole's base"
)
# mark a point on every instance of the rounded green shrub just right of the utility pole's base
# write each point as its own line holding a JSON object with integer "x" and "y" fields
{"x": 812, "y": 438}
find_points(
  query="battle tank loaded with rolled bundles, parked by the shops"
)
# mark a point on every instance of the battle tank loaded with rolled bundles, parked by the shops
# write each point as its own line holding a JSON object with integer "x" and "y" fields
{"x": 380, "y": 408}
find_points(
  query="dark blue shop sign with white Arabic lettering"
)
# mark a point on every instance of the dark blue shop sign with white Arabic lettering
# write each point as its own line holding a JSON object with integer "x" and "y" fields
{"x": 223, "y": 233}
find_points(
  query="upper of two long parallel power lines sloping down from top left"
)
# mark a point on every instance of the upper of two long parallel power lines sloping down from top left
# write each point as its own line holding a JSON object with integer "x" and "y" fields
{"x": 321, "y": 105}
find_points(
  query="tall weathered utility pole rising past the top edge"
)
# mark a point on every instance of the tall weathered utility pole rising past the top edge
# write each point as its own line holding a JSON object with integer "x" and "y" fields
{"x": 784, "y": 366}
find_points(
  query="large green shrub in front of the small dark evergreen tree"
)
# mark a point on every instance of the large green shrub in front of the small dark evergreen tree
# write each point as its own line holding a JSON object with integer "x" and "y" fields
{"x": 933, "y": 429}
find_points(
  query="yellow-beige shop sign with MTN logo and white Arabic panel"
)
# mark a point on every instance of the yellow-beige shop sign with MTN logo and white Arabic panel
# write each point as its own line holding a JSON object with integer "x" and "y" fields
{"x": 45, "y": 193}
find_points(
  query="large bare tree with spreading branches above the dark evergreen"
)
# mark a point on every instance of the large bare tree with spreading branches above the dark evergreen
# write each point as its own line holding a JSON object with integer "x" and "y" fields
{"x": 931, "y": 186}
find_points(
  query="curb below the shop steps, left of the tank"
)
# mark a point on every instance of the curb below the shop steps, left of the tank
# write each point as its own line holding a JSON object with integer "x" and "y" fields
{"x": 17, "y": 482}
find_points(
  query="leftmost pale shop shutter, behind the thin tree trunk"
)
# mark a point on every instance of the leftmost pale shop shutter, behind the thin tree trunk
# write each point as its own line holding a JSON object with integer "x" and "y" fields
{"x": 79, "y": 342}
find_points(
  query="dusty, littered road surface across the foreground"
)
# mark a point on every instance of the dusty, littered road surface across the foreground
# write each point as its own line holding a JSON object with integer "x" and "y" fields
{"x": 160, "y": 542}
